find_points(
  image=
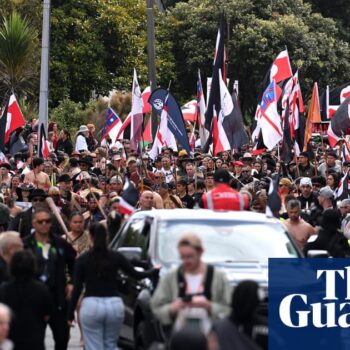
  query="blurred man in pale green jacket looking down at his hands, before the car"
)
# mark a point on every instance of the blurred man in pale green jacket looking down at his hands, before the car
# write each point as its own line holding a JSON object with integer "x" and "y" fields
{"x": 194, "y": 293}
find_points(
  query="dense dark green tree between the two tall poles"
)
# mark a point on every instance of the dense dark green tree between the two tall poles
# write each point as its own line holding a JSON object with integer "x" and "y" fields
{"x": 96, "y": 44}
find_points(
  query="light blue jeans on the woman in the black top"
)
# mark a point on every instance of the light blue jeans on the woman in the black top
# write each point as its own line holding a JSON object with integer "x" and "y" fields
{"x": 101, "y": 320}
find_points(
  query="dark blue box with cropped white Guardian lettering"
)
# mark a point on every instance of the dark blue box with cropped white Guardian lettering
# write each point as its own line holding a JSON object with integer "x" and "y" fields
{"x": 309, "y": 304}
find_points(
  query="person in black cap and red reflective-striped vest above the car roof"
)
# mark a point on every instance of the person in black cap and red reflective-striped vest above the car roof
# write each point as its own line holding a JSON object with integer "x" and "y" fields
{"x": 223, "y": 197}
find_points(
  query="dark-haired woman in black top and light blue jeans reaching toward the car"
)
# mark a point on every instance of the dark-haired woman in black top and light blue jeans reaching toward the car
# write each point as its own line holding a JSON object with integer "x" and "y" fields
{"x": 102, "y": 310}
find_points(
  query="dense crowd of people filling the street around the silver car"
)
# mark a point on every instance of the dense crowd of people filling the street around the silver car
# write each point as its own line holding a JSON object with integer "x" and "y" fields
{"x": 64, "y": 210}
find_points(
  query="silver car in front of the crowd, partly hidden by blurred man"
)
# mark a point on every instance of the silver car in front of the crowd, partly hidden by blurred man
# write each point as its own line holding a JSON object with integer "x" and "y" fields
{"x": 240, "y": 243}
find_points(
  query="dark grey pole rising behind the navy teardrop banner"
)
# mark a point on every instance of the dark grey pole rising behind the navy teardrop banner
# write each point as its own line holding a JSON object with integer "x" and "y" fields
{"x": 151, "y": 59}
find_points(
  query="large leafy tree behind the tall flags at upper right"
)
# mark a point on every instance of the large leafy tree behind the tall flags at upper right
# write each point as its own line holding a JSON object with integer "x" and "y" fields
{"x": 257, "y": 30}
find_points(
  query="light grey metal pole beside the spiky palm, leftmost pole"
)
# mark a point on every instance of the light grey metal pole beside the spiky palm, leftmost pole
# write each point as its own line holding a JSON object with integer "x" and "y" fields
{"x": 44, "y": 73}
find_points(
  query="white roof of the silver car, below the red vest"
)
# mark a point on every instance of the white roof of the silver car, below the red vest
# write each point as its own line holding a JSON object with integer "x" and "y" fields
{"x": 188, "y": 214}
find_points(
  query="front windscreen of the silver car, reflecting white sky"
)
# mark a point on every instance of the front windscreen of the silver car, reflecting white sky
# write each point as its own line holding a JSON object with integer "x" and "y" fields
{"x": 226, "y": 241}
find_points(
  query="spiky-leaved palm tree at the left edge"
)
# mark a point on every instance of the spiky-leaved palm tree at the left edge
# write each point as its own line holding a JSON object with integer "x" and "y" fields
{"x": 18, "y": 69}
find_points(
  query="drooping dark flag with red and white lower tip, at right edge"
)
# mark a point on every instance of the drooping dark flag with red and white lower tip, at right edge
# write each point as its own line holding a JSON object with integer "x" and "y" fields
{"x": 339, "y": 123}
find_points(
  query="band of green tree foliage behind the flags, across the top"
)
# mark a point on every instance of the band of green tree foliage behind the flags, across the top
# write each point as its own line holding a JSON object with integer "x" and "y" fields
{"x": 95, "y": 44}
